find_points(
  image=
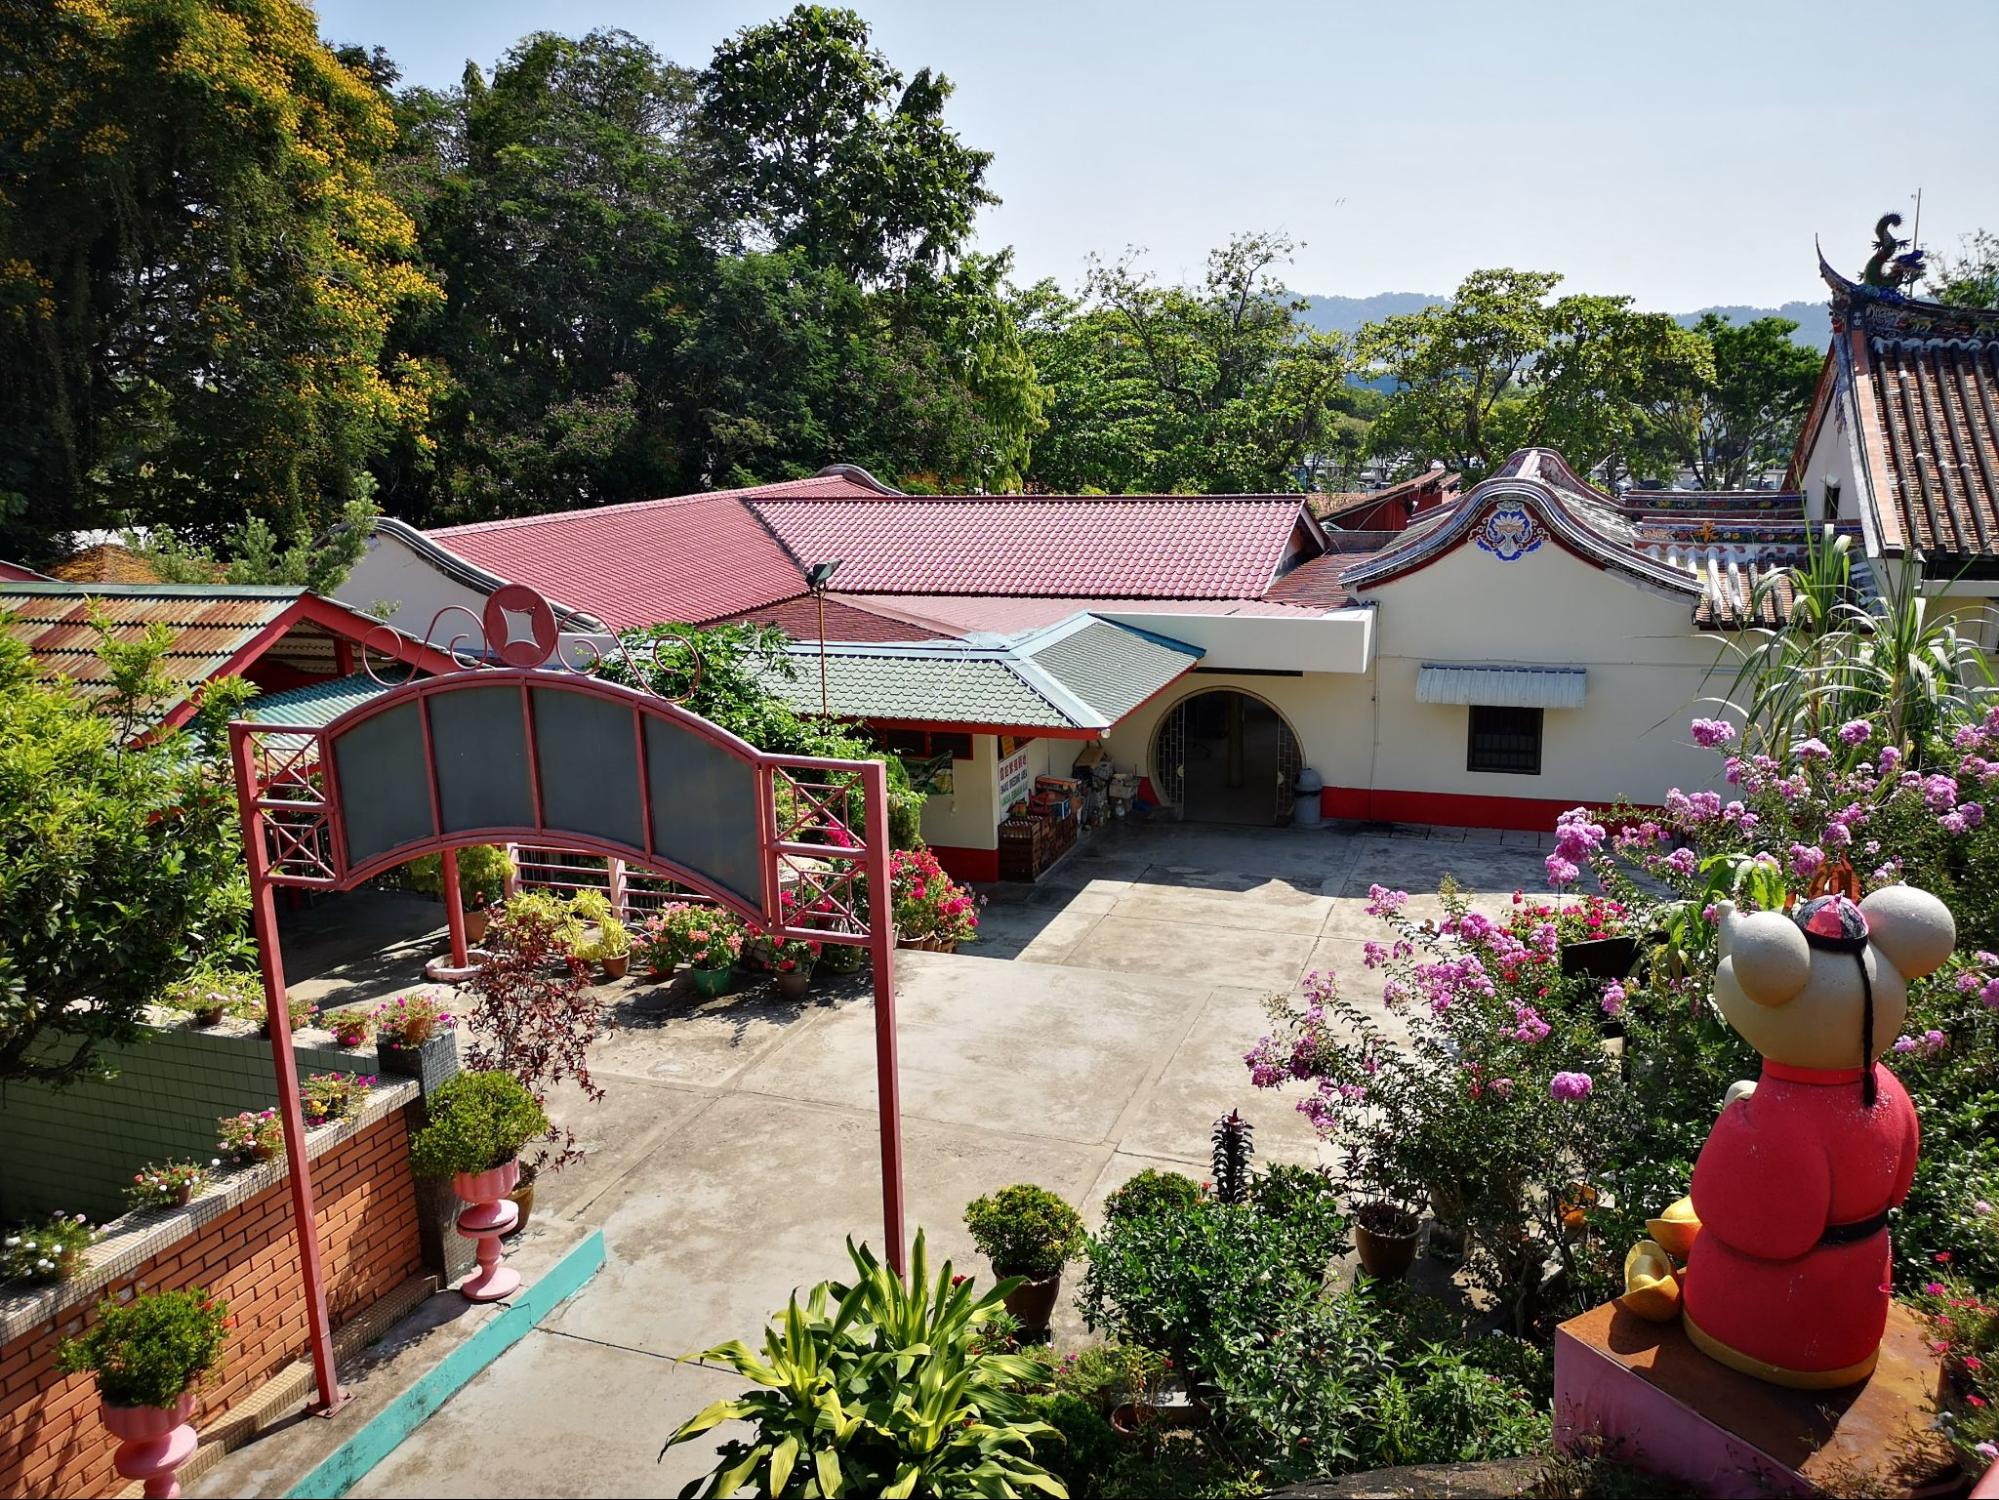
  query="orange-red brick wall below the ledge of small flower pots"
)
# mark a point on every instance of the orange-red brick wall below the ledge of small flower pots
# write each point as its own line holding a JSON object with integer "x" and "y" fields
{"x": 51, "y": 1437}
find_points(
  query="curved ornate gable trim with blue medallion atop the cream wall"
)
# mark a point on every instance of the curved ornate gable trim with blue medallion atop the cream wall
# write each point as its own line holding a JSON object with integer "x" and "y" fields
{"x": 1534, "y": 501}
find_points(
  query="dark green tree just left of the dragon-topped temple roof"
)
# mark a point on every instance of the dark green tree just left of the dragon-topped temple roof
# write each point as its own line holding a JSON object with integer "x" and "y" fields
{"x": 1744, "y": 421}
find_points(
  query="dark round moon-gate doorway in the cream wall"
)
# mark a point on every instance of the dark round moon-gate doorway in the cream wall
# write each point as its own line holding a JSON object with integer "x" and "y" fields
{"x": 1226, "y": 757}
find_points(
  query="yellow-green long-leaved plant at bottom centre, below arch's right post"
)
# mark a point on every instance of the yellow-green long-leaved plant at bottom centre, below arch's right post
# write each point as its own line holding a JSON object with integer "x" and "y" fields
{"x": 885, "y": 1387}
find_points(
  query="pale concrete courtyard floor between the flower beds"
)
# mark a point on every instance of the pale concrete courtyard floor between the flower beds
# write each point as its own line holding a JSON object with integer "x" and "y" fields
{"x": 1096, "y": 1029}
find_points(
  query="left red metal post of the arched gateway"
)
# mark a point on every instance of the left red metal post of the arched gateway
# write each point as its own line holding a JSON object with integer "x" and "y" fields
{"x": 265, "y": 917}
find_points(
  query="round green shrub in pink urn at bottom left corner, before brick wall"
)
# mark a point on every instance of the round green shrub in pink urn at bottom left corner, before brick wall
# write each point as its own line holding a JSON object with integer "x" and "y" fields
{"x": 149, "y": 1359}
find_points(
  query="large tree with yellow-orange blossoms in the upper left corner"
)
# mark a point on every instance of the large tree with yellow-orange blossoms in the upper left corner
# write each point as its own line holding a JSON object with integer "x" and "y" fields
{"x": 201, "y": 271}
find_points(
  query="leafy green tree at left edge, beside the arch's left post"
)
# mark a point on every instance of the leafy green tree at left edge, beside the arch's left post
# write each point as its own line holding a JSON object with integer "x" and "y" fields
{"x": 121, "y": 865}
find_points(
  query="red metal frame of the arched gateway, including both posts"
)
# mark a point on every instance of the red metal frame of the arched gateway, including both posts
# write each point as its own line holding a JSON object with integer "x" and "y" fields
{"x": 297, "y": 835}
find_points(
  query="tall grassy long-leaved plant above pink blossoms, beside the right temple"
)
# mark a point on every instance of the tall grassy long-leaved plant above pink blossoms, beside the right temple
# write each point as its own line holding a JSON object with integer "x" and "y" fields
{"x": 1840, "y": 657}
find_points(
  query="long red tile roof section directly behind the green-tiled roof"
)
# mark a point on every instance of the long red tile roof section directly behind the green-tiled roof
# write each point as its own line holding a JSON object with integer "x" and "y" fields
{"x": 1116, "y": 547}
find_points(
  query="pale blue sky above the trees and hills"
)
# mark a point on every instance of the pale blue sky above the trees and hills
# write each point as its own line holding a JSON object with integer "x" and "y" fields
{"x": 1678, "y": 151}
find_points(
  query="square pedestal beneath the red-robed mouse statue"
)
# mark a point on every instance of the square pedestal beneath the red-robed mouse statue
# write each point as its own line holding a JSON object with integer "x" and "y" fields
{"x": 1652, "y": 1399}
